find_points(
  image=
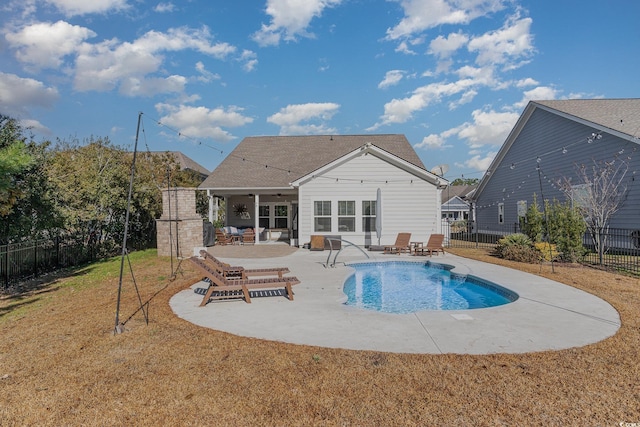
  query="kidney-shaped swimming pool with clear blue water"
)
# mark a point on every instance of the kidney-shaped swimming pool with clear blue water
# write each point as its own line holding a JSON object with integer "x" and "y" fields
{"x": 407, "y": 287}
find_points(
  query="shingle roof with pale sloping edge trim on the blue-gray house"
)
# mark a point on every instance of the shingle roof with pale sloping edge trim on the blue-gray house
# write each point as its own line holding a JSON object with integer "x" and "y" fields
{"x": 620, "y": 117}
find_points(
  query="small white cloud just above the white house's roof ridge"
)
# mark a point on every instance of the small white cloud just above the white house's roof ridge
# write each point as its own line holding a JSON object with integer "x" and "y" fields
{"x": 290, "y": 117}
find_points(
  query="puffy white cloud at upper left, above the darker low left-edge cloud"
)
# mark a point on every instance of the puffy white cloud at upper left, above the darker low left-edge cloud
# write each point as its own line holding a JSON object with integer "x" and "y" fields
{"x": 44, "y": 45}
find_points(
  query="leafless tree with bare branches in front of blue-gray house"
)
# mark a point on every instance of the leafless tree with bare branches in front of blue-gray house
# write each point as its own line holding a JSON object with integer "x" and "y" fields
{"x": 601, "y": 193}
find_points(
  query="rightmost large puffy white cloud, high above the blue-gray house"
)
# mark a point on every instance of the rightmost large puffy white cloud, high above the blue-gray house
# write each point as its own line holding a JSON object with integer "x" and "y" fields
{"x": 506, "y": 45}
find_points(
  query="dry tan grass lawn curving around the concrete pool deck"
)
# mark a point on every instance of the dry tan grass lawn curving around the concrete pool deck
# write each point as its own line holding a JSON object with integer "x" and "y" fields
{"x": 61, "y": 364}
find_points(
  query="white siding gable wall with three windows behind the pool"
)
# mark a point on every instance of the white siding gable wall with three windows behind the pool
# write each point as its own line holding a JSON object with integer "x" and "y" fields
{"x": 406, "y": 206}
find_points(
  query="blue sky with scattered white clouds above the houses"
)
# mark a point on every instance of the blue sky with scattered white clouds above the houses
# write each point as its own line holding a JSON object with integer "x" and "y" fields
{"x": 451, "y": 75}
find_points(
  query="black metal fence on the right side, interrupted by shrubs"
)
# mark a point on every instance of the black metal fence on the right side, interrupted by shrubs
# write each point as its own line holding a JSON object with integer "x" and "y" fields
{"x": 621, "y": 247}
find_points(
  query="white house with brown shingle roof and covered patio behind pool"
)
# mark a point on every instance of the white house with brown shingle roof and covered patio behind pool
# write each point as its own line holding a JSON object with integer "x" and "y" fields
{"x": 327, "y": 185}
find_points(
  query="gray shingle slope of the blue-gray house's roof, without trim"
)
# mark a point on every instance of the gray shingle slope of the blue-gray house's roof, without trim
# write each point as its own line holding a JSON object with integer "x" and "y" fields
{"x": 622, "y": 115}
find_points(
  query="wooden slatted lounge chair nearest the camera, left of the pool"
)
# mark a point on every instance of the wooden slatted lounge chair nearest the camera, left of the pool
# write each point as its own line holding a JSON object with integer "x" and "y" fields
{"x": 222, "y": 288}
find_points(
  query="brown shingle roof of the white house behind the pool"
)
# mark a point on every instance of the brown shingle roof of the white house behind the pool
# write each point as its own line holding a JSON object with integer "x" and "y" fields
{"x": 277, "y": 161}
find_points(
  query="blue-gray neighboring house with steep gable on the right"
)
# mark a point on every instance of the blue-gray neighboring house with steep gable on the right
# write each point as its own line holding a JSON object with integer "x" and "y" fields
{"x": 545, "y": 148}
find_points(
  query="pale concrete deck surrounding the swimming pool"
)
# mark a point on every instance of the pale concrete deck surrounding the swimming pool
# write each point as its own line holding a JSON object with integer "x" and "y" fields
{"x": 547, "y": 315}
